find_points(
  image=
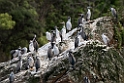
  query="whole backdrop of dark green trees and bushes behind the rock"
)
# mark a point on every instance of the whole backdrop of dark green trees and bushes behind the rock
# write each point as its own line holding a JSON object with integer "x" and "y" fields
{"x": 24, "y": 18}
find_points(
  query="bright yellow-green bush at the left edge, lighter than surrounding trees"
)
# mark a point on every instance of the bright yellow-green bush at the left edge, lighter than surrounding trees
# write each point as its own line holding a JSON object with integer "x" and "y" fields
{"x": 6, "y": 21}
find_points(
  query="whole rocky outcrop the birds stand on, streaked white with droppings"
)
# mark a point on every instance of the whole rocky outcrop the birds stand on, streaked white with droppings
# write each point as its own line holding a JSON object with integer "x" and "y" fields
{"x": 94, "y": 60}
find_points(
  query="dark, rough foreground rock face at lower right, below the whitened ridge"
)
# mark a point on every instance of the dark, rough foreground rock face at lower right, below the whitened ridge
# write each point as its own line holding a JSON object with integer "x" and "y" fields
{"x": 101, "y": 64}
